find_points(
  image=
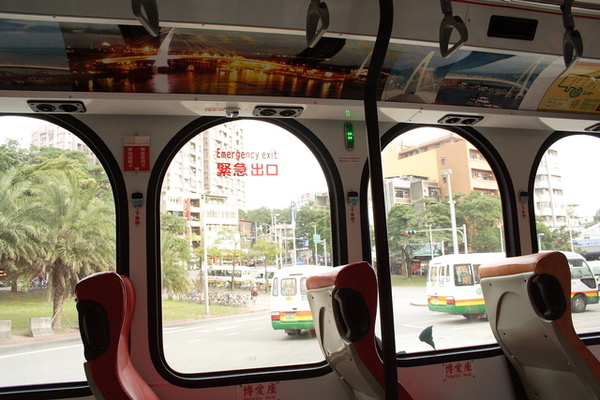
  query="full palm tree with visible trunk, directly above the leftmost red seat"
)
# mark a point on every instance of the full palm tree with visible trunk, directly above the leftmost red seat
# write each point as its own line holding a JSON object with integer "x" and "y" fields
{"x": 81, "y": 235}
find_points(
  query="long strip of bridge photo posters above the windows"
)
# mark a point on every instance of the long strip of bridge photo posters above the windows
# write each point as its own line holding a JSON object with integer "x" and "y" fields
{"x": 107, "y": 58}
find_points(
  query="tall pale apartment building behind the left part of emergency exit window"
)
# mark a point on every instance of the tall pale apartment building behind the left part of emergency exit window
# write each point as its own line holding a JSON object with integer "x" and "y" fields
{"x": 197, "y": 185}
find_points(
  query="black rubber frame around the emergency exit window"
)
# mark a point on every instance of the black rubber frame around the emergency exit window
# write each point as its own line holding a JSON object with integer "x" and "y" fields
{"x": 339, "y": 255}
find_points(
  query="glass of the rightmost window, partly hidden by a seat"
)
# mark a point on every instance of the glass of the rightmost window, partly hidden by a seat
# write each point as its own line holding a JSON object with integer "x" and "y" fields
{"x": 567, "y": 218}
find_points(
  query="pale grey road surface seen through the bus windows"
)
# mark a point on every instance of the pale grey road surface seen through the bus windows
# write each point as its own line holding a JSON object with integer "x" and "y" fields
{"x": 247, "y": 341}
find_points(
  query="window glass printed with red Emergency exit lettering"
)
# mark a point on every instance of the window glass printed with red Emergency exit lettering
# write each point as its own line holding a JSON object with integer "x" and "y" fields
{"x": 255, "y": 202}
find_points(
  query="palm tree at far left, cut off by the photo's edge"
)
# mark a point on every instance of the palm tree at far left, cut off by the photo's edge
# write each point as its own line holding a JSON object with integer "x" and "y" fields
{"x": 18, "y": 233}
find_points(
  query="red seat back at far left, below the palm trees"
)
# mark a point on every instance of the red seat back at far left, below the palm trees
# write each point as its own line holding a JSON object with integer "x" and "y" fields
{"x": 105, "y": 303}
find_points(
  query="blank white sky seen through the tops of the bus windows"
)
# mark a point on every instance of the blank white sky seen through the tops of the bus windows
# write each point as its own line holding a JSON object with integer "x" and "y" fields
{"x": 298, "y": 171}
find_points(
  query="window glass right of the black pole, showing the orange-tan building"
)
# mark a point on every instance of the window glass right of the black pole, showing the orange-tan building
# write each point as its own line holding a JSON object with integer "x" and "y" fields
{"x": 433, "y": 242}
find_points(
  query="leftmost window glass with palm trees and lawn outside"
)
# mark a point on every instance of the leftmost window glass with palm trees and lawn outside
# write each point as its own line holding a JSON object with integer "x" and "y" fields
{"x": 56, "y": 201}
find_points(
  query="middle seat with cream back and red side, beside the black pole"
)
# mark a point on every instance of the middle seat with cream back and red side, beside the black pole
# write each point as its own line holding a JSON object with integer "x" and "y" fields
{"x": 343, "y": 302}
